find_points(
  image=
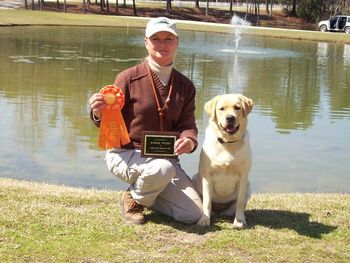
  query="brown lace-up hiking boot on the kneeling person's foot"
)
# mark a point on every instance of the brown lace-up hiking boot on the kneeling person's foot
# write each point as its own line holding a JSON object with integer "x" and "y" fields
{"x": 131, "y": 210}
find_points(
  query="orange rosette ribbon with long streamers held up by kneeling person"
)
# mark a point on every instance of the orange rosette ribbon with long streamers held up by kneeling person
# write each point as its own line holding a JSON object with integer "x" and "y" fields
{"x": 113, "y": 132}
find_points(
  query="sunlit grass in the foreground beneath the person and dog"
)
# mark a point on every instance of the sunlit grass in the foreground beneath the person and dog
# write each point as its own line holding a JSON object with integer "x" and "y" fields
{"x": 46, "y": 223}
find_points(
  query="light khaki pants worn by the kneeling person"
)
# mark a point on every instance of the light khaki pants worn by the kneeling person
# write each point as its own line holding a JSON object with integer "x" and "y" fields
{"x": 157, "y": 183}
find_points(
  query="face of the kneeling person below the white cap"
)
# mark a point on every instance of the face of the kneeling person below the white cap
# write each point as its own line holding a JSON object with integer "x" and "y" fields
{"x": 162, "y": 47}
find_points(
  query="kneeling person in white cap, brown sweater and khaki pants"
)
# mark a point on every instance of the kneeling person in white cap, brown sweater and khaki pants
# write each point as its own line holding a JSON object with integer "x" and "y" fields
{"x": 157, "y": 97}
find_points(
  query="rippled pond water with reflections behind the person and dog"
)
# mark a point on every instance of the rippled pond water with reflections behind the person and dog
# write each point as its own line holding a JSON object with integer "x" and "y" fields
{"x": 300, "y": 125}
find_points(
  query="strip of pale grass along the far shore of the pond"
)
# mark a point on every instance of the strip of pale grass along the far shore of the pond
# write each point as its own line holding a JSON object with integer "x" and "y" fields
{"x": 28, "y": 17}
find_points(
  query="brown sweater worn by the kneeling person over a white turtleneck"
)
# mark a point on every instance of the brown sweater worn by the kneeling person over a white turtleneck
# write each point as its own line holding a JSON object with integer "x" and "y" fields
{"x": 140, "y": 109}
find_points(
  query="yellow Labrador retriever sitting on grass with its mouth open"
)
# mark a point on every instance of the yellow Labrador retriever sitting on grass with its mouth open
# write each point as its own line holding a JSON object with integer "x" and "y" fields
{"x": 225, "y": 159}
